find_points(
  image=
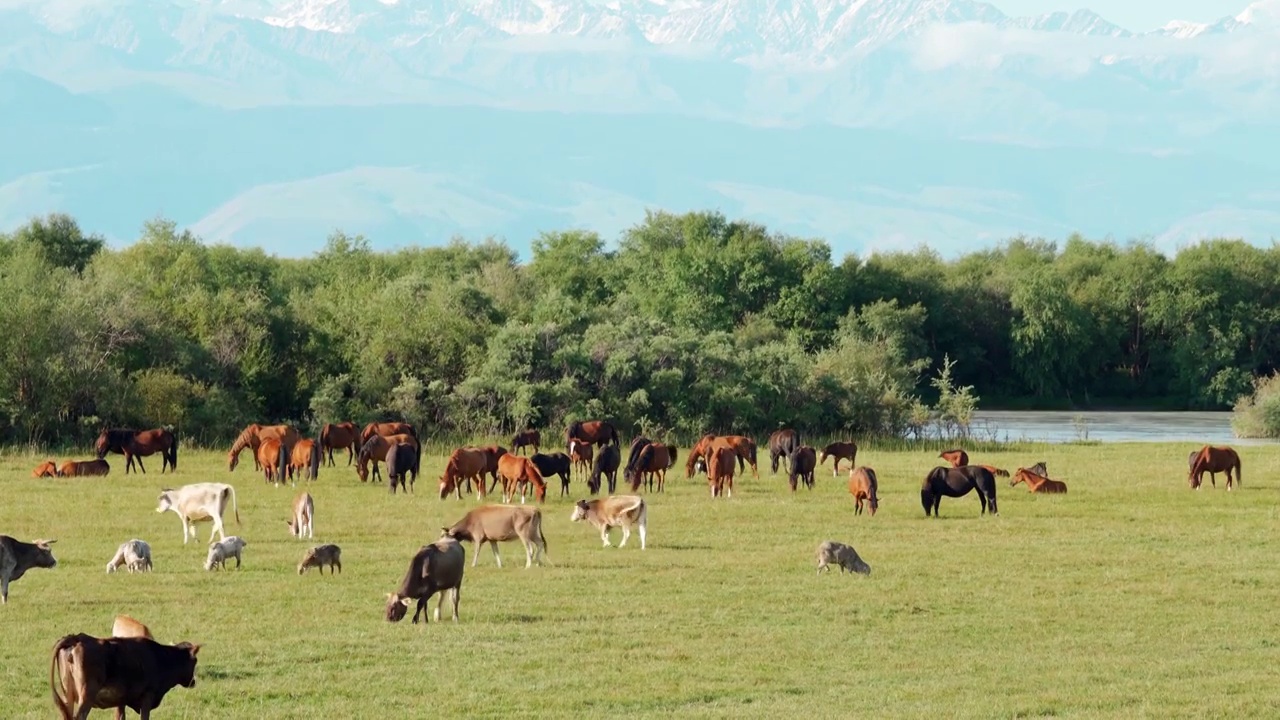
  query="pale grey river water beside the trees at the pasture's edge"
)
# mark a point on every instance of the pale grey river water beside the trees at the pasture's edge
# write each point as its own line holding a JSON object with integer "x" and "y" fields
{"x": 1195, "y": 429}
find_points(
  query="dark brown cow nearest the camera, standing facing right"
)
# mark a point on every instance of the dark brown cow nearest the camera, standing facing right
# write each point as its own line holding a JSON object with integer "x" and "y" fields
{"x": 89, "y": 673}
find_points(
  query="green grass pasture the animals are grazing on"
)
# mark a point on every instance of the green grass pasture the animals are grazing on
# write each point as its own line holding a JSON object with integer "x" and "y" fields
{"x": 1130, "y": 598}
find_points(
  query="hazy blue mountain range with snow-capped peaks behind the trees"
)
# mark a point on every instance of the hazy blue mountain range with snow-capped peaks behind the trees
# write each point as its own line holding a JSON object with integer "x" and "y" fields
{"x": 874, "y": 124}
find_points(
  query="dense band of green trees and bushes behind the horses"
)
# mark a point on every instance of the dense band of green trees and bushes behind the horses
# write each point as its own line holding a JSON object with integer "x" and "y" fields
{"x": 692, "y": 323}
